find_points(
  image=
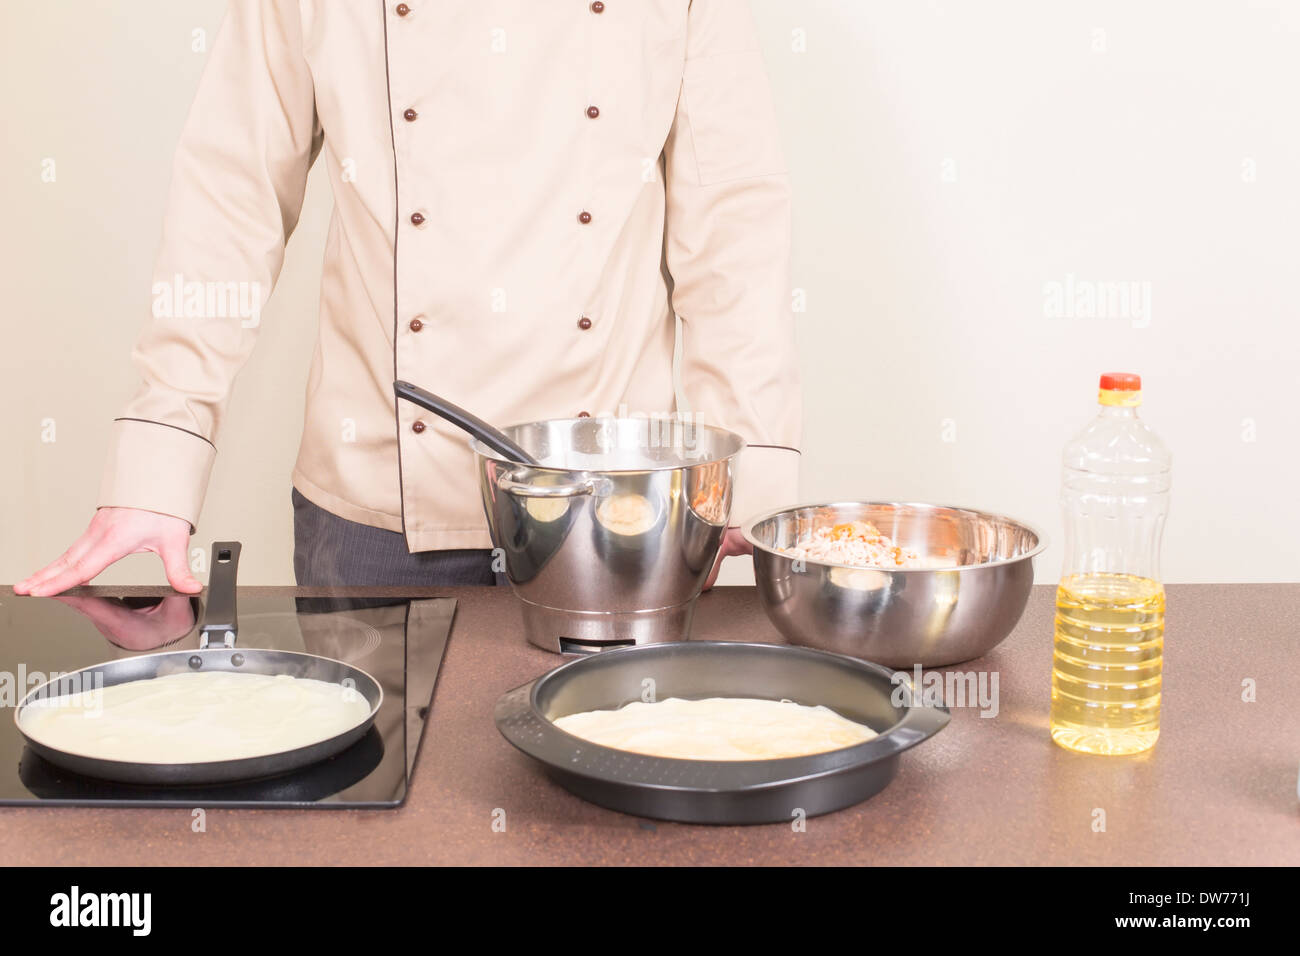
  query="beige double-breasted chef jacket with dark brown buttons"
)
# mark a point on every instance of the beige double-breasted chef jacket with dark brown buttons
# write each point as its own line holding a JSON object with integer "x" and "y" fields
{"x": 526, "y": 193}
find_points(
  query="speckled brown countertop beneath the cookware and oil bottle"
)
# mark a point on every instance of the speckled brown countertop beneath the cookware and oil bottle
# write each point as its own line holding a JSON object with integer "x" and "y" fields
{"x": 1220, "y": 788}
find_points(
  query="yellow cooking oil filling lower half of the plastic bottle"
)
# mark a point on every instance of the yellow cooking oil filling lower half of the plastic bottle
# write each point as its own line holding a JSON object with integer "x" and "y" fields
{"x": 1107, "y": 661}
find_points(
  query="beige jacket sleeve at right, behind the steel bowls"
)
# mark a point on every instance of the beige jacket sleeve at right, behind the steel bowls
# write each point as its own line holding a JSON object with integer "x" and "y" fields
{"x": 727, "y": 248}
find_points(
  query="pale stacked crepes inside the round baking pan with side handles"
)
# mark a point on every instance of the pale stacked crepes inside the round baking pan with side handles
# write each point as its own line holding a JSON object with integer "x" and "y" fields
{"x": 718, "y": 729}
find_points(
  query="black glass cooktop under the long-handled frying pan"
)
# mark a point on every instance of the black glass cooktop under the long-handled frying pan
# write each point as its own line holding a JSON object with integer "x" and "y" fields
{"x": 400, "y": 642}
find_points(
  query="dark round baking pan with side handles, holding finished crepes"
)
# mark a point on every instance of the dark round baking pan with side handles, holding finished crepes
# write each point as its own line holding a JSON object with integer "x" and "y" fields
{"x": 699, "y": 791}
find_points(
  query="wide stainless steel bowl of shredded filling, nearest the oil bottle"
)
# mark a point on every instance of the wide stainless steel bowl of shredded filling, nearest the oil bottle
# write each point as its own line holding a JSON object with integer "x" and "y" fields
{"x": 960, "y": 607}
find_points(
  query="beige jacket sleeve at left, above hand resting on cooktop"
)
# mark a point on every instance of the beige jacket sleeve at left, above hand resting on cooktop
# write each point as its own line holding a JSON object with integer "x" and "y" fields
{"x": 237, "y": 191}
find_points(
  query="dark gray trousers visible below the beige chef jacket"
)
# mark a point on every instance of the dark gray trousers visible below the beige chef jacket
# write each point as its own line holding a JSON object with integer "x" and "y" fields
{"x": 332, "y": 552}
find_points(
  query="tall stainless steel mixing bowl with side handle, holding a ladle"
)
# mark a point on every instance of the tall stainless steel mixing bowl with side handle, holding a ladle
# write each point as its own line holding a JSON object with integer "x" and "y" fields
{"x": 608, "y": 542}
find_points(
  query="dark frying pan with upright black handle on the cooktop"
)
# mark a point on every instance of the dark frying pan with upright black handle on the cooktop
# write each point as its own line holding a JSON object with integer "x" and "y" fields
{"x": 216, "y": 652}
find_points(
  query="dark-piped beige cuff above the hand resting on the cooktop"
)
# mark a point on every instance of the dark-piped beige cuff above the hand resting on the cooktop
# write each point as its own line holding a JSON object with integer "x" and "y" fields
{"x": 157, "y": 468}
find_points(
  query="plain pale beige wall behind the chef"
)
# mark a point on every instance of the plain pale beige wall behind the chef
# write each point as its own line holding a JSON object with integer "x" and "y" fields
{"x": 950, "y": 161}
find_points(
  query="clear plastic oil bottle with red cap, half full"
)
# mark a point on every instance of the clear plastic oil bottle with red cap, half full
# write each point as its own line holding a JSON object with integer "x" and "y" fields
{"x": 1111, "y": 604}
